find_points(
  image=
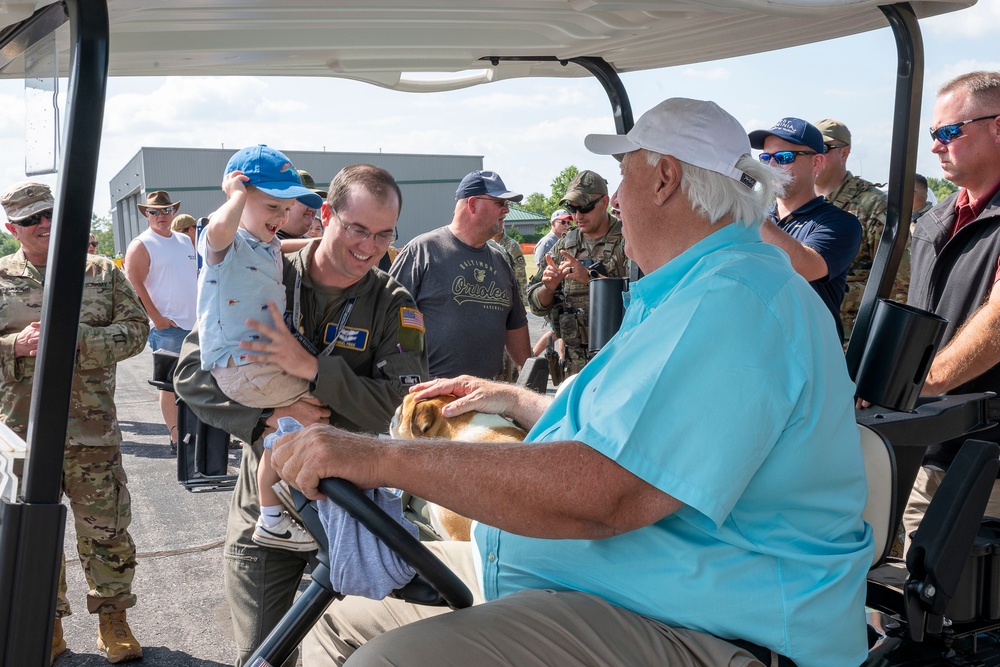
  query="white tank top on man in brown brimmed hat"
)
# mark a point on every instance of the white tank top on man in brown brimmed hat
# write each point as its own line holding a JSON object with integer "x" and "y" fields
{"x": 172, "y": 281}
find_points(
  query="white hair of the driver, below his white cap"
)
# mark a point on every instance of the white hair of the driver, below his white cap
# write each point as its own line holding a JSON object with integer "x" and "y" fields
{"x": 718, "y": 196}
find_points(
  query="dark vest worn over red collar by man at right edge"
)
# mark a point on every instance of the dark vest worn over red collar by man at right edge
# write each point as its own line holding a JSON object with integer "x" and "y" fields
{"x": 953, "y": 278}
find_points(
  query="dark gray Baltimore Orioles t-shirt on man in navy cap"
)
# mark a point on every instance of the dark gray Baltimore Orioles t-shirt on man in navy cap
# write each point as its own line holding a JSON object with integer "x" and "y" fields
{"x": 469, "y": 300}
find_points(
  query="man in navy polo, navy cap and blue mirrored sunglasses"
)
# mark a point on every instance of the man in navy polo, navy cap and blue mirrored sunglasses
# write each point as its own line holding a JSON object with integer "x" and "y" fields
{"x": 820, "y": 238}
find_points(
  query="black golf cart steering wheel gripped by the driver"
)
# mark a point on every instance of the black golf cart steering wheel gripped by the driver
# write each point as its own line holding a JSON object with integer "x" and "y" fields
{"x": 434, "y": 582}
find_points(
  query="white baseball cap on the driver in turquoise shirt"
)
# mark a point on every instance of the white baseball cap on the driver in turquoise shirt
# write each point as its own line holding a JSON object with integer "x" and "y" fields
{"x": 693, "y": 131}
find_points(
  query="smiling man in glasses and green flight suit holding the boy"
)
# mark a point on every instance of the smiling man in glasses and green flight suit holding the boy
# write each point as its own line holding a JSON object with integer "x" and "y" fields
{"x": 367, "y": 340}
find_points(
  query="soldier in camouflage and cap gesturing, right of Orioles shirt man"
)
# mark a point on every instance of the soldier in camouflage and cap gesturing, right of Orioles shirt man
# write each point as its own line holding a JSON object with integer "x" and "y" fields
{"x": 560, "y": 290}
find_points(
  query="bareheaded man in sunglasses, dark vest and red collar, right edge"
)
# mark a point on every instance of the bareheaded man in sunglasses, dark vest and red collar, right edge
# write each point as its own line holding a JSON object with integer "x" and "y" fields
{"x": 956, "y": 263}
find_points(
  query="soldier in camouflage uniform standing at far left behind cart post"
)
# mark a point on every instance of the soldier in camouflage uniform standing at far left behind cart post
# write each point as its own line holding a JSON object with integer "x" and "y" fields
{"x": 113, "y": 327}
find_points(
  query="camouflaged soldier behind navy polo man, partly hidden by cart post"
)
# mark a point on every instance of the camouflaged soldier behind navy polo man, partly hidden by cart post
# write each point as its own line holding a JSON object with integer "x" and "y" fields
{"x": 864, "y": 200}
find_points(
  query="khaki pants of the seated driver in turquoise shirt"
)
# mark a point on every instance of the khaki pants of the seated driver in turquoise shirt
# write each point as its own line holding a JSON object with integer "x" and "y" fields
{"x": 528, "y": 628}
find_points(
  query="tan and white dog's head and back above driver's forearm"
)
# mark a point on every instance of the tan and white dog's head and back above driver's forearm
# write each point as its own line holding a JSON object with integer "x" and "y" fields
{"x": 424, "y": 420}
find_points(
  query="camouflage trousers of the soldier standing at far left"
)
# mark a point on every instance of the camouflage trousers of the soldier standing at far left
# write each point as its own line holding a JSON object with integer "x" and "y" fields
{"x": 95, "y": 483}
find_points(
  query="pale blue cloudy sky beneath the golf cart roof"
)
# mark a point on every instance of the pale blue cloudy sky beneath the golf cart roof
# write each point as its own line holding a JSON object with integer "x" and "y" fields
{"x": 527, "y": 129}
